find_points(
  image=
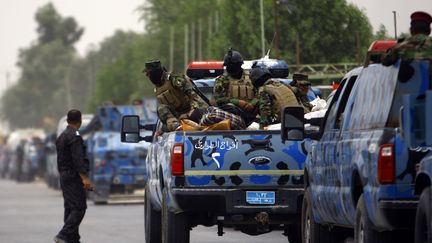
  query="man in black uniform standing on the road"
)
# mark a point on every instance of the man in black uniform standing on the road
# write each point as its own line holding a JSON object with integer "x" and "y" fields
{"x": 73, "y": 168}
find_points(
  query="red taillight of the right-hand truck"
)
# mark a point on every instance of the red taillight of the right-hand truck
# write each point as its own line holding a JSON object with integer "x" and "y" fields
{"x": 386, "y": 164}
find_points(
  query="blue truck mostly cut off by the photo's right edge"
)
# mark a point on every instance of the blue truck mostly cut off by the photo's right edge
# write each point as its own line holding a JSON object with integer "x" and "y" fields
{"x": 417, "y": 131}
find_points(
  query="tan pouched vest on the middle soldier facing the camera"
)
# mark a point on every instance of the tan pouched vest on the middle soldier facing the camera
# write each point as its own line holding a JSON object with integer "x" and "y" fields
{"x": 241, "y": 88}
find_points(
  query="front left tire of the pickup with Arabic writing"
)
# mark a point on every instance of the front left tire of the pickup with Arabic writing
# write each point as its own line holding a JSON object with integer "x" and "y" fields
{"x": 152, "y": 222}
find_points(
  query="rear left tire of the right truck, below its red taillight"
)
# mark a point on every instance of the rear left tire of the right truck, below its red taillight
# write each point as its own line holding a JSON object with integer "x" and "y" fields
{"x": 364, "y": 231}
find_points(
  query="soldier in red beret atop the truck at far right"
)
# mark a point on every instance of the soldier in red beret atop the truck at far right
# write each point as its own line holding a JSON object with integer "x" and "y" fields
{"x": 418, "y": 45}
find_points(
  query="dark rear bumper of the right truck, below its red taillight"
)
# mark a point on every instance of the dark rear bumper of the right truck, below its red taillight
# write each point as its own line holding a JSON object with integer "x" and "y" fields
{"x": 399, "y": 214}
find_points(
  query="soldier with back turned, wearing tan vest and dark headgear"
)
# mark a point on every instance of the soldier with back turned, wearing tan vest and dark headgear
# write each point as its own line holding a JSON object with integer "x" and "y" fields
{"x": 273, "y": 96}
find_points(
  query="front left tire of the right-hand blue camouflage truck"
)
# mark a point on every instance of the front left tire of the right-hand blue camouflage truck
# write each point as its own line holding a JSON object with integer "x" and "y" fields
{"x": 312, "y": 232}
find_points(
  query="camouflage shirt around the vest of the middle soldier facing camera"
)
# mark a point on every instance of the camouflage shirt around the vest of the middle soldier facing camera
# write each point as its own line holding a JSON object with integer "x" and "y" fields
{"x": 221, "y": 90}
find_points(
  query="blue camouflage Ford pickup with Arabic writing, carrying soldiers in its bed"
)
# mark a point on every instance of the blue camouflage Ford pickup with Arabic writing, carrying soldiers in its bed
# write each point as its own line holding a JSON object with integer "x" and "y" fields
{"x": 249, "y": 179}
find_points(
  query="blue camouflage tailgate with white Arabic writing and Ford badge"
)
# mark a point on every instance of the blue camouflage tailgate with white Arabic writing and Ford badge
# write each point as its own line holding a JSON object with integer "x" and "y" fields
{"x": 249, "y": 159}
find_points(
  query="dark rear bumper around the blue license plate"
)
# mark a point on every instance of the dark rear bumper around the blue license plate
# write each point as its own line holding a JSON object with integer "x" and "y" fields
{"x": 233, "y": 201}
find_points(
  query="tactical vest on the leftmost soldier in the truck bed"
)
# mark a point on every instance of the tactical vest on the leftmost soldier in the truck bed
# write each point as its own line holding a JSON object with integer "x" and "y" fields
{"x": 169, "y": 95}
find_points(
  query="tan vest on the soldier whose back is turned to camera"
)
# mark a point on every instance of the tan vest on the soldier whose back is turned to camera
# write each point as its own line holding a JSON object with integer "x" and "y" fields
{"x": 282, "y": 96}
